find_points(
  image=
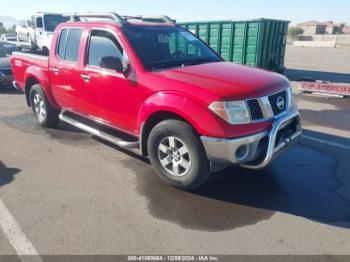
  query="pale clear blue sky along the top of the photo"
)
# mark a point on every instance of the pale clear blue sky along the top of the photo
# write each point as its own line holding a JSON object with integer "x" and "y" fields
{"x": 190, "y": 10}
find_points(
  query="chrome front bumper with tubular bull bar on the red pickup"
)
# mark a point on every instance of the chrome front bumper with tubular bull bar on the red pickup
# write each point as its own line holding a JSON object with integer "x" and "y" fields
{"x": 254, "y": 151}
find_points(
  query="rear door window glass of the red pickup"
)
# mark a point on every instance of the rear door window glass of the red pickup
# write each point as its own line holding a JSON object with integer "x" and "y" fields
{"x": 69, "y": 43}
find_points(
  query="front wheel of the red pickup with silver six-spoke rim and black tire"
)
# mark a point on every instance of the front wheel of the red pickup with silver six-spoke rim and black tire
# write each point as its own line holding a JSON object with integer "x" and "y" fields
{"x": 177, "y": 154}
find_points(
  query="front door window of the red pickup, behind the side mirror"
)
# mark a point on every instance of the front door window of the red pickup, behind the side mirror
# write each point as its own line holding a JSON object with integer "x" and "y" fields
{"x": 103, "y": 44}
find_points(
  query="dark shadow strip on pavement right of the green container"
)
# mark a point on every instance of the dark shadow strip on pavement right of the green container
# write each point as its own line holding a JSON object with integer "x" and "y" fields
{"x": 308, "y": 75}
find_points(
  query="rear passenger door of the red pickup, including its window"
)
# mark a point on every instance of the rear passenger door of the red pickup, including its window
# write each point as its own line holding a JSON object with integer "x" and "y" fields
{"x": 65, "y": 69}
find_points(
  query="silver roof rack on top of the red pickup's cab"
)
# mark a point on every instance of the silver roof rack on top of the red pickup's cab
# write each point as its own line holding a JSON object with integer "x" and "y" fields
{"x": 121, "y": 19}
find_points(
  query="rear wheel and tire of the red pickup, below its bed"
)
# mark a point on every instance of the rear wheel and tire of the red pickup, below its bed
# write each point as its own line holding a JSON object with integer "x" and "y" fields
{"x": 44, "y": 113}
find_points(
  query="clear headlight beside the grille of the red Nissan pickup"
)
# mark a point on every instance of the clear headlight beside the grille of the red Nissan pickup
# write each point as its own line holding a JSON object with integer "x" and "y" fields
{"x": 234, "y": 112}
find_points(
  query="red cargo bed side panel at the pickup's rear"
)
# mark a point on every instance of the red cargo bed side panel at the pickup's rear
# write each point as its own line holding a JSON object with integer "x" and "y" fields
{"x": 22, "y": 61}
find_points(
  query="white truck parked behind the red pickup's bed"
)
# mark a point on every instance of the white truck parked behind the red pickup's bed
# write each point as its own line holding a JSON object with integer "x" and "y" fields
{"x": 37, "y": 32}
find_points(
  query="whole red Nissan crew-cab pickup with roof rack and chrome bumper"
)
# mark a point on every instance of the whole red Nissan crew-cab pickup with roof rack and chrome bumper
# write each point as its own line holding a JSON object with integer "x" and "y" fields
{"x": 149, "y": 85}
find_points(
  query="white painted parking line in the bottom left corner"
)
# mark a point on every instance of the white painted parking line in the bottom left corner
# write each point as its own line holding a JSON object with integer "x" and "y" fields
{"x": 15, "y": 235}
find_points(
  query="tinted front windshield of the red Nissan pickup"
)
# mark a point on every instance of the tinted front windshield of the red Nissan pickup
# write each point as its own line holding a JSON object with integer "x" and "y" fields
{"x": 167, "y": 47}
